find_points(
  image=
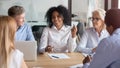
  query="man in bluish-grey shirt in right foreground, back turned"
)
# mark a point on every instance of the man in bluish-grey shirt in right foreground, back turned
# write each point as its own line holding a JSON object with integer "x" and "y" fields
{"x": 108, "y": 50}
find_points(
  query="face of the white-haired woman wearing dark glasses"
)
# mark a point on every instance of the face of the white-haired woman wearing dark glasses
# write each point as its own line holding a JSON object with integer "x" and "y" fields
{"x": 96, "y": 20}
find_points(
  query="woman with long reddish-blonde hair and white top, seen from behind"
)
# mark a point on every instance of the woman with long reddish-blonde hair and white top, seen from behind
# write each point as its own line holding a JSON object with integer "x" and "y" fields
{"x": 9, "y": 56}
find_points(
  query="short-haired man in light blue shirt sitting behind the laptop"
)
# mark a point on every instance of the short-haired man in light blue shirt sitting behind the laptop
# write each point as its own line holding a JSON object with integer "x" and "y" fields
{"x": 24, "y": 32}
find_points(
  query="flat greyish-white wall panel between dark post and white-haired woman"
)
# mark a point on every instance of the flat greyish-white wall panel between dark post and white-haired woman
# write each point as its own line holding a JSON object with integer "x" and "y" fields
{"x": 80, "y": 8}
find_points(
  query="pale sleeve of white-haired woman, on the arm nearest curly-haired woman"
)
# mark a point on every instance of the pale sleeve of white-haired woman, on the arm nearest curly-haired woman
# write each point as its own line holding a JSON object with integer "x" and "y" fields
{"x": 82, "y": 45}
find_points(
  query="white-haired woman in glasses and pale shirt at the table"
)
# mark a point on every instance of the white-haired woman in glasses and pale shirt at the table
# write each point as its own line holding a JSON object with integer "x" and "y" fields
{"x": 92, "y": 36}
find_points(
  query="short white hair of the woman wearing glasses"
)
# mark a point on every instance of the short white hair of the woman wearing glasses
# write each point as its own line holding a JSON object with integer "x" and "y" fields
{"x": 101, "y": 12}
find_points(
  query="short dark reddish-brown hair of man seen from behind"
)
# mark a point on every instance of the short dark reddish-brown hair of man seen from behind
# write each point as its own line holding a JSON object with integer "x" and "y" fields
{"x": 113, "y": 18}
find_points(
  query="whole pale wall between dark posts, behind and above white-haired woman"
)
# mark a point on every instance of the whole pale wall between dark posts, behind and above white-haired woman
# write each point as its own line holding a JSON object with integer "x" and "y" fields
{"x": 84, "y": 8}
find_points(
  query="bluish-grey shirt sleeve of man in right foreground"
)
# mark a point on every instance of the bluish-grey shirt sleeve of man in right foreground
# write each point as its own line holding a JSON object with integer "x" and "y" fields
{"x": 102, "y": 57}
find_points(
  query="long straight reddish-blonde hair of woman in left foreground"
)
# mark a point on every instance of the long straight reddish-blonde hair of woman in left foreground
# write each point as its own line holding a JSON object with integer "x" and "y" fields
{"x": 7, "y": 33}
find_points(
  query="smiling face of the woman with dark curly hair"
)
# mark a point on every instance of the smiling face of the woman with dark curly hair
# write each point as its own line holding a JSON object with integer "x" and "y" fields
{"x": 57, "y": 19}
